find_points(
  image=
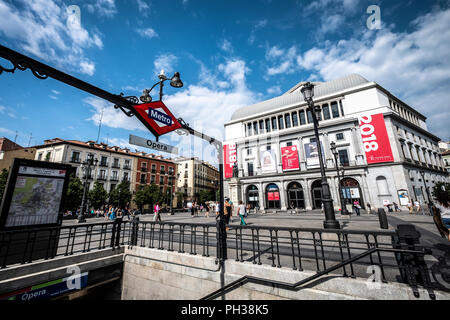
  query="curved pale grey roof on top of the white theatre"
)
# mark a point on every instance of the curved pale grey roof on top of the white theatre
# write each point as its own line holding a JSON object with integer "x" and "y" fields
{"x": 293, "y": 96}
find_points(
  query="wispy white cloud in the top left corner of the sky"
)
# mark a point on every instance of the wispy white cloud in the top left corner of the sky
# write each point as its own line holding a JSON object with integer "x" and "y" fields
{"x": 47, "y": 30}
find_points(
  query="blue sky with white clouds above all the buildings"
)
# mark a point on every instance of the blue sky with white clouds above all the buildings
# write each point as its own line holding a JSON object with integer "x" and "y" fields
{"x": 229, "y": 53}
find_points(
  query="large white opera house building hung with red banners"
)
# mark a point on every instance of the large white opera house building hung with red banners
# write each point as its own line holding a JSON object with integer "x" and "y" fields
{"x": 383, "y": 144}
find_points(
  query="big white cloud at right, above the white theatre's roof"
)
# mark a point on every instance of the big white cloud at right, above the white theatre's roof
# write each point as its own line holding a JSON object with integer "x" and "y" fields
{"x": 414, "y": 66}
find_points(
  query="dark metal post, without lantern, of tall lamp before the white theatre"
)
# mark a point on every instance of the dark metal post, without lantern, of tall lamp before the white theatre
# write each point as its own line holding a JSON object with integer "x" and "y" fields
{"x": 330, "y": 219}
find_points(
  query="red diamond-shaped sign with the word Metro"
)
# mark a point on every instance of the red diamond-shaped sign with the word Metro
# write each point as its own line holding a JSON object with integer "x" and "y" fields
{"x": 156, "y": 117}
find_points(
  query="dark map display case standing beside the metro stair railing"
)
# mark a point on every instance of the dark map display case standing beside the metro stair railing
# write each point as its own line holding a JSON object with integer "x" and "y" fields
{"x": 31, "y": 209}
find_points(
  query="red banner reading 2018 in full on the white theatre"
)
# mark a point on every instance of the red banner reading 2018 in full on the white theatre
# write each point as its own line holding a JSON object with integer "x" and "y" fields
{"x": 375, "y": 139}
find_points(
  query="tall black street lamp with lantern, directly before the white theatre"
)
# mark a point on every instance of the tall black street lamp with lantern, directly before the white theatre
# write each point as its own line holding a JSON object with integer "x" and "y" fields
{"x": 330, "y": 219}
